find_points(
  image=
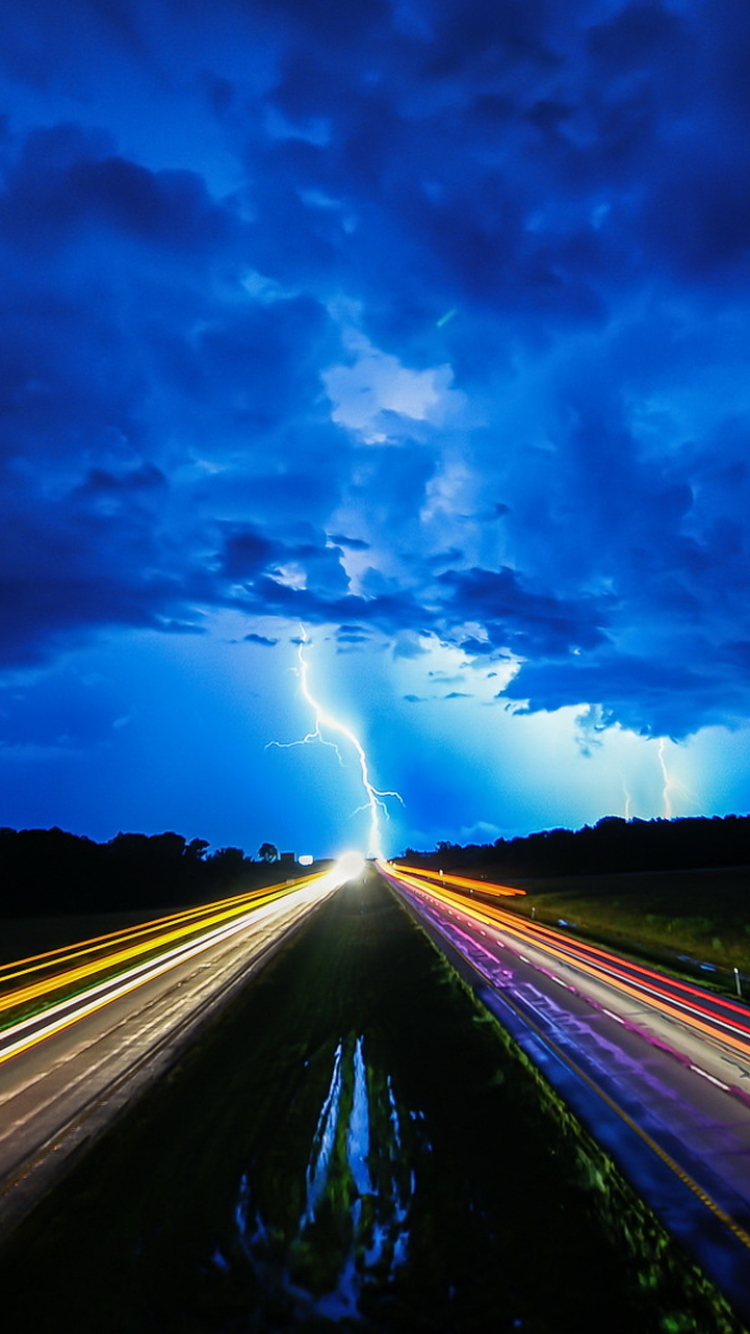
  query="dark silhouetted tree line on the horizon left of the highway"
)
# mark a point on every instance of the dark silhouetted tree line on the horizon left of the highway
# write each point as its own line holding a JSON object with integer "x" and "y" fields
{"x": 53, "y": 873}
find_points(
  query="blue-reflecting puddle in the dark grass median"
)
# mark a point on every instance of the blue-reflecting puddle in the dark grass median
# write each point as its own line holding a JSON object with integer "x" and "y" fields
{"x": 352, "y": 1235}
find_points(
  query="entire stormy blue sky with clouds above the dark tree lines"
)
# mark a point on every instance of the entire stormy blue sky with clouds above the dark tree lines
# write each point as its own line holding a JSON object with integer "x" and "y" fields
{"x": 416, "y": 331}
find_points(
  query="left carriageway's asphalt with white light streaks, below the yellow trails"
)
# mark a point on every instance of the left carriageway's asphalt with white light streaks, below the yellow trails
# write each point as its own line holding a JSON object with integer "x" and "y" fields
{"x": 62, "y": 1089}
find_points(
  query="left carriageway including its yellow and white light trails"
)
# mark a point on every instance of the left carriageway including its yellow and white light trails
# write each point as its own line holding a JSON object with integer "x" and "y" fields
{"x": 85, "y": 1029}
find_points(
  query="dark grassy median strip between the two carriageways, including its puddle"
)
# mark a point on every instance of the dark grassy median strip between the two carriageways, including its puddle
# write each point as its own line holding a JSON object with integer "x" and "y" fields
{"x": 357, "y": 1147}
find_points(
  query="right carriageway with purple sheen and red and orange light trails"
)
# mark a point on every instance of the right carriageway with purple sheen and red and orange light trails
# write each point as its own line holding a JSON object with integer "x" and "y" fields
{"x": 657, "y": 1069}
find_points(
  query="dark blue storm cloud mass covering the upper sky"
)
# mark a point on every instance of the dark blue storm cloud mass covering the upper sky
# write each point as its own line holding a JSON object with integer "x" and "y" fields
{"x": 571, "y": 194}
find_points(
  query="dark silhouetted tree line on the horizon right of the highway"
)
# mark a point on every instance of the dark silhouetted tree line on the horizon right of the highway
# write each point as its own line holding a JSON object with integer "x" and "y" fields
{"x": 612, "y": 845}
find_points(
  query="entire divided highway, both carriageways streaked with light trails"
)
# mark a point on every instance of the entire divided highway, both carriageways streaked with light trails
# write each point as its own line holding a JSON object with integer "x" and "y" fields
{"x": 659, "y": 1069}
